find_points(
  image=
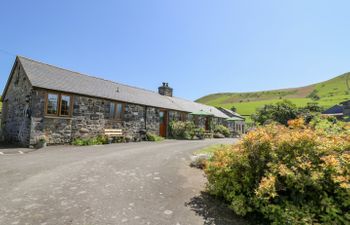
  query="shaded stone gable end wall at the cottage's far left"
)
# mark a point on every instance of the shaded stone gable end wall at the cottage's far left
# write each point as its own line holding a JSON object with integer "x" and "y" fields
{"x": 16, "y": 108}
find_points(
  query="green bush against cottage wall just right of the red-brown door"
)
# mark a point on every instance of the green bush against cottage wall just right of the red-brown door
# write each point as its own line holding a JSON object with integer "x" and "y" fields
{"x": 182, "y": 130}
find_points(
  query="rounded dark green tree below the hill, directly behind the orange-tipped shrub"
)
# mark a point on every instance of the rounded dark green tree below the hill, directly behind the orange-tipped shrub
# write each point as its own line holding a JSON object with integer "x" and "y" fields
{"x": 280, "y": 112}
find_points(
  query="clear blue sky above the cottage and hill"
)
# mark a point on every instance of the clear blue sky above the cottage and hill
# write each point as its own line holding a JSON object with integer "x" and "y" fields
{"x": 198, "y": 46}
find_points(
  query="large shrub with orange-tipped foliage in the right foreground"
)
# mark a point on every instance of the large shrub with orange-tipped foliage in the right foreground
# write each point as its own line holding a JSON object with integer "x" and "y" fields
{"x": 289, "y": 175}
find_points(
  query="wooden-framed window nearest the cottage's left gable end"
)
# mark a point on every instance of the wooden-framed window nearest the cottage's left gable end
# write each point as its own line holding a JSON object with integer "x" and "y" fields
{"x": 58, "y": 104}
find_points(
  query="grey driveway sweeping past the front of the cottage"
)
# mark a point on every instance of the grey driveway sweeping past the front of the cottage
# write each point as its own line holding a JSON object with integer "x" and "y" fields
{"x": 134, "y": 183}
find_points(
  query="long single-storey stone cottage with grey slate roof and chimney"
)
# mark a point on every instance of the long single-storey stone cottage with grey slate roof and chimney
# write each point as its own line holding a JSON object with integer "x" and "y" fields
{"x": 41, "y": 99}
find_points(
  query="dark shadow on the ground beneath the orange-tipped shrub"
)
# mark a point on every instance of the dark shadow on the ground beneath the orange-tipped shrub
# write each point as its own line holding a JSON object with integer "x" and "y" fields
{"x": 213, "y": 211}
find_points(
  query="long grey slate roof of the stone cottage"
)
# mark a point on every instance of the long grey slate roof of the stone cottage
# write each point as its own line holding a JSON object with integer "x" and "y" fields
{"x": 46, "y": 76}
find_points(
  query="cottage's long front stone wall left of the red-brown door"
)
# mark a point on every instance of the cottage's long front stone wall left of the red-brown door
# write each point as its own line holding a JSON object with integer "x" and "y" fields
{"x": 90, "y": 117}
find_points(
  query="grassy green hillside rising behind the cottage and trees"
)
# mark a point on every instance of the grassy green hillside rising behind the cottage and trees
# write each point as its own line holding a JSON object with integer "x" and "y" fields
{"x": 331, "y": 92}
